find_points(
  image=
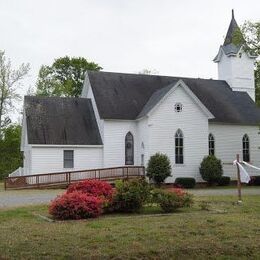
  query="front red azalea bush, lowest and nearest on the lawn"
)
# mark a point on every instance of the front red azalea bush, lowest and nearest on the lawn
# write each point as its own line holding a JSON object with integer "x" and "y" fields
{"x": 75, "y": 205}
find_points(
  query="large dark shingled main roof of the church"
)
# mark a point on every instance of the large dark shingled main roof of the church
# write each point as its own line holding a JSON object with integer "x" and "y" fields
{"x": 124, "y": 96}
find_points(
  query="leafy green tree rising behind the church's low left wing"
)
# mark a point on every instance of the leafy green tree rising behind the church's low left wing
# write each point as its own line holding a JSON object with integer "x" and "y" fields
{"x": 64, "y": 77}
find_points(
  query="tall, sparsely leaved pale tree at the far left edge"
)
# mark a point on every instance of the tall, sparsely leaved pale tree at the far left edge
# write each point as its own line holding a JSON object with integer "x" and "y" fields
{"x": 10, "y": 80}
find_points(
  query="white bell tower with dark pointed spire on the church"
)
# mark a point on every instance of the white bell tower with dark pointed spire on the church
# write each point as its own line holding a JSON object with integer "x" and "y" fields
{"x": 235, "y": 65}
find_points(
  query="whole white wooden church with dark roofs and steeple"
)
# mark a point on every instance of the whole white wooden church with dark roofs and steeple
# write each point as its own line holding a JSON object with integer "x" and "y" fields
{"x": 122, "y": 119}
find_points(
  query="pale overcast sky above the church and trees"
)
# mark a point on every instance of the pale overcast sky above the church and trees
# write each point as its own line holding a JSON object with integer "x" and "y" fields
{"x": 177, "y": 38}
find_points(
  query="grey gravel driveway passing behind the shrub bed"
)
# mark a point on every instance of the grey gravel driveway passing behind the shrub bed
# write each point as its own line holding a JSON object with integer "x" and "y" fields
{"x": 14, "y": 198}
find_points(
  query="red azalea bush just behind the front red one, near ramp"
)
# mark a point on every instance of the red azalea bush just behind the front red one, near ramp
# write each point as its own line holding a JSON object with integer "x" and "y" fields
{"x": 97, "y": 188}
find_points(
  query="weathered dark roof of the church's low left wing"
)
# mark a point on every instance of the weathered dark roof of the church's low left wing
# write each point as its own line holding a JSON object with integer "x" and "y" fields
{"x": 61, "y": 121}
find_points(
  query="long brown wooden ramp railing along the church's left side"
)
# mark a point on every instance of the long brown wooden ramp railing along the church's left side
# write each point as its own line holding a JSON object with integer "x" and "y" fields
{"x": 65, "y": 178}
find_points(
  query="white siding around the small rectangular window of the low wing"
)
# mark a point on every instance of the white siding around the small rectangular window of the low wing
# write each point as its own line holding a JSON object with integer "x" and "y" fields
{"x": 50, "y": 159}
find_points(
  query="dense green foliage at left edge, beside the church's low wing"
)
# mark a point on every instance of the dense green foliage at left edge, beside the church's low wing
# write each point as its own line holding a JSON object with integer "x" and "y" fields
{"x": 10, "y": 155}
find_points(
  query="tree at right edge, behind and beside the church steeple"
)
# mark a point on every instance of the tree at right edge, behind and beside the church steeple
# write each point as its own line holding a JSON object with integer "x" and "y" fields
{"x": 250, "y": 35}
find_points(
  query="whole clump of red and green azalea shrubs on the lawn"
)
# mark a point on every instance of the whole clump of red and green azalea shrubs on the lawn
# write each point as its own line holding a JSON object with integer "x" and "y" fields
{"x": 89, "y": 199}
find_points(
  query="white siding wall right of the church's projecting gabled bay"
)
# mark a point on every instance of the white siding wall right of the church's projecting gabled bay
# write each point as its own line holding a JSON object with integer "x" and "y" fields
{"x": 228, "y": 143}
